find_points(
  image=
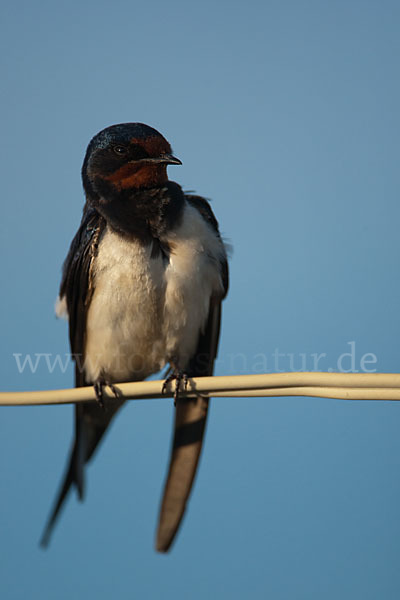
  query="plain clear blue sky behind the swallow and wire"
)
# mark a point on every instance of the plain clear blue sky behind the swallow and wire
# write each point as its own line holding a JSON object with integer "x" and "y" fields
{"x": 286, "y": 114}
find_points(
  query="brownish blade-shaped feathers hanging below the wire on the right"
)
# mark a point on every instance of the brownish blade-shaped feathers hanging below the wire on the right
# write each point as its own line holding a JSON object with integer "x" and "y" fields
{"x": 190, "y": 422}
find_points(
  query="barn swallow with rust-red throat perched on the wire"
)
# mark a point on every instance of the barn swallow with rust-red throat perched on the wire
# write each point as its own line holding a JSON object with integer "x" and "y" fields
{"x": 142, "y": 287}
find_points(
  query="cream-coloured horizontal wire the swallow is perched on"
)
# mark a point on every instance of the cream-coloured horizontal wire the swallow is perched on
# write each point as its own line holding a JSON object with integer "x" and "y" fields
{"x": 346, "y": 386}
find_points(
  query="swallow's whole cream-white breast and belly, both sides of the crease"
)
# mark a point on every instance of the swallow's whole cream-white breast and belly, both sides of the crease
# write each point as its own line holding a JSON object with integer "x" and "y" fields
{"x": 146, "y": 312}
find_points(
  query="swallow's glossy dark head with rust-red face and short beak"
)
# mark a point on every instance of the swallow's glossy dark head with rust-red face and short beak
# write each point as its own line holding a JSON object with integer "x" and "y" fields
{"x": 126, "y": 156}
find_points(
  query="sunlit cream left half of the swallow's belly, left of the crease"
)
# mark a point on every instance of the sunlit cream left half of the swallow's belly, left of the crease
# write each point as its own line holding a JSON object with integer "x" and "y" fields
{"x": 123, "y": 332}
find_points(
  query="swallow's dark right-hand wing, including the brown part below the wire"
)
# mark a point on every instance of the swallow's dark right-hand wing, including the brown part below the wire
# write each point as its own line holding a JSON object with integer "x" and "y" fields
{"x": 191, "y": 415}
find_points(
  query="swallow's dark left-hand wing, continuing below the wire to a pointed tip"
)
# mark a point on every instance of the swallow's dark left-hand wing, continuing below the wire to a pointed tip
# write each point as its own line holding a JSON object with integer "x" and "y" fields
{"x": 90, "y": 420}
